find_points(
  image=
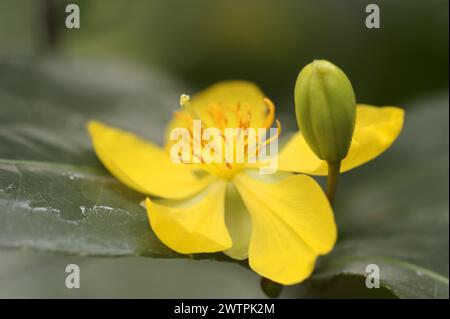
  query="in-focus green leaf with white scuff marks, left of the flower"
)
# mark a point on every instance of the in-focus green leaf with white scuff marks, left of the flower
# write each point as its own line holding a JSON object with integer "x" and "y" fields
{"x": 70, "y": 209}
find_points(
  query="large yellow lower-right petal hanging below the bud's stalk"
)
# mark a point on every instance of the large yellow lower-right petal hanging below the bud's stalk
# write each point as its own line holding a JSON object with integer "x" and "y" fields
{"x": 292, "y": 223}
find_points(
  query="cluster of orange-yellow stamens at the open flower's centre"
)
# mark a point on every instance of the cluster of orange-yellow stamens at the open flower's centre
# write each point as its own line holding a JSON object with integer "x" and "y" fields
{"x": 221, "y": 138}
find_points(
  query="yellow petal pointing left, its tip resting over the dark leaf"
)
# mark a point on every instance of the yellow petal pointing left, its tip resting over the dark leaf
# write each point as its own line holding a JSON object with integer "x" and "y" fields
{"x": 142, "y": 165}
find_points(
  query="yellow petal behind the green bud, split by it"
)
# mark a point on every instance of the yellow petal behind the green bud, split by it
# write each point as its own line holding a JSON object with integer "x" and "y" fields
{"x": 375, "y": 130}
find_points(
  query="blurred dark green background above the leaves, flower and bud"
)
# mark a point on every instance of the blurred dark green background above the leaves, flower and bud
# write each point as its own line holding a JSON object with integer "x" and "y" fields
{"x": 264, "y": 41}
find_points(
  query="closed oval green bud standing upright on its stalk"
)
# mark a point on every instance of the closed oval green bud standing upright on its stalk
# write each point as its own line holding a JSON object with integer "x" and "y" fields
{"x": 325, "y": 106}
